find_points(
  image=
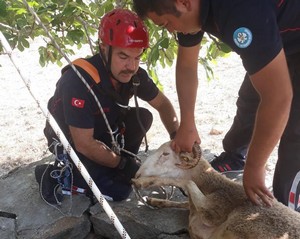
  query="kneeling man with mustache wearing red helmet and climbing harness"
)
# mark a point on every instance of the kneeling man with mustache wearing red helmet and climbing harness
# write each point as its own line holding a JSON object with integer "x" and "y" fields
{"x": 115, "y": 78}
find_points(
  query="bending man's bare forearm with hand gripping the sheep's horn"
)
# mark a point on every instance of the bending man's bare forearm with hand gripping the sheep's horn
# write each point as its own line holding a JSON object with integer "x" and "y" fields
{"x": 187, "y": 84}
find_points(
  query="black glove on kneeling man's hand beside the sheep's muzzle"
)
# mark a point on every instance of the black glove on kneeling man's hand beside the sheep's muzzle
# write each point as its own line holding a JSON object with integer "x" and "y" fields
{"x": 128, "y": 167}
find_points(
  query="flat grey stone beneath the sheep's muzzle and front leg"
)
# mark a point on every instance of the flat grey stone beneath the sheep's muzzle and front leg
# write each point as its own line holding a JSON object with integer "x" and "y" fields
{"x": 141, "y": 222}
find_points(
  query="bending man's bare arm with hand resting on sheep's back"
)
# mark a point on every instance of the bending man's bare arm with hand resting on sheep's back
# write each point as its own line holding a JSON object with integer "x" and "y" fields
{"x": 274, "y": 87}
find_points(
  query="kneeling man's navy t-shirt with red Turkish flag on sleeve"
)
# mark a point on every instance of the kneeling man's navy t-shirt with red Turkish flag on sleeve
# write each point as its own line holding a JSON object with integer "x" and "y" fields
{"x": 74, "y": 105}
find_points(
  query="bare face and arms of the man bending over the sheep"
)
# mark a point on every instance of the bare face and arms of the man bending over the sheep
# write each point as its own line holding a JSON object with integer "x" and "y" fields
{"x": 272, "y": 84}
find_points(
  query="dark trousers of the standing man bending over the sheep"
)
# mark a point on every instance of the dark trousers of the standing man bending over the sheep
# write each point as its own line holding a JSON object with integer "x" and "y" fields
{"x": 238, "y": 137}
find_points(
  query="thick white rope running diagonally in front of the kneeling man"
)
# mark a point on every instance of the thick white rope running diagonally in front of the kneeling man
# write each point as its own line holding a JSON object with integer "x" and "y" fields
{"x": 112, "y": 216}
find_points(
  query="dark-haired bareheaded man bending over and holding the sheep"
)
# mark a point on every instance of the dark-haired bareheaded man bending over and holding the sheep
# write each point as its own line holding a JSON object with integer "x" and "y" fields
{"x": 266, "y": 35}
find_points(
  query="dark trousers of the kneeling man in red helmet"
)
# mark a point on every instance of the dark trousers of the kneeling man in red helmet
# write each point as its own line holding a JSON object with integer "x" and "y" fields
{"x": 107, "y": 179}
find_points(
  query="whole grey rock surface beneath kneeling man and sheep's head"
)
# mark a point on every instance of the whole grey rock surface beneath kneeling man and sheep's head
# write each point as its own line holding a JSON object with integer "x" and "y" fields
{"x": 23, "y": 214}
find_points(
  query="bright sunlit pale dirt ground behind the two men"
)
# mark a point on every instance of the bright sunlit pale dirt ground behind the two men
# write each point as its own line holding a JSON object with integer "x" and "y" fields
{"x": 22, "y": 121}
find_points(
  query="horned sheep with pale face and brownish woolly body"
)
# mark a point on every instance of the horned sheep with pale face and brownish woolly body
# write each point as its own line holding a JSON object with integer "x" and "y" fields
{"x": 219, "y": 207}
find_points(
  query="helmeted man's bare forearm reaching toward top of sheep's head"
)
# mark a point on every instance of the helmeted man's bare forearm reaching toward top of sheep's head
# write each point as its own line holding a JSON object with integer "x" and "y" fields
{"x": 166, "y": 111}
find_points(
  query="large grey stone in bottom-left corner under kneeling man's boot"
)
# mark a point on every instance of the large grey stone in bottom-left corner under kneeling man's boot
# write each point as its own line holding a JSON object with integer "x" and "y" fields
{"x": 33, "y": 217}
